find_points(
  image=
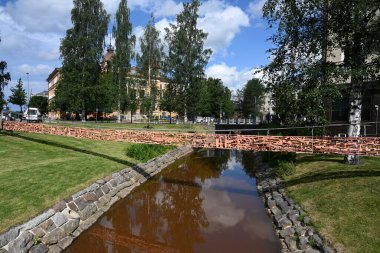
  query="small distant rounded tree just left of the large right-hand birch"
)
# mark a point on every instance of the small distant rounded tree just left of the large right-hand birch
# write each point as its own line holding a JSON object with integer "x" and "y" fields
{"x": 253, "y": 98}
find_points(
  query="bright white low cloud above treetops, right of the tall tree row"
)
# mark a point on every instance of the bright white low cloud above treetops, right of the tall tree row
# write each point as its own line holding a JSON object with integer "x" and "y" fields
{"x": 231, "y": 76}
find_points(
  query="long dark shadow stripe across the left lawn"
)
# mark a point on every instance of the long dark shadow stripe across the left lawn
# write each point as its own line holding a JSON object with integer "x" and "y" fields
{"x": 134, "y": 166}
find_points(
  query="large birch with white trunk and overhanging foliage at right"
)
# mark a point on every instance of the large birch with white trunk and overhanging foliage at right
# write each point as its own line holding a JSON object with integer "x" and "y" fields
{"x": 309, "y": 35}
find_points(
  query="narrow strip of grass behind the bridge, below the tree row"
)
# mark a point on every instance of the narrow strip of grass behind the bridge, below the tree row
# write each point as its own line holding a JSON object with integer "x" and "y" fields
{"x": 142, "y": 126}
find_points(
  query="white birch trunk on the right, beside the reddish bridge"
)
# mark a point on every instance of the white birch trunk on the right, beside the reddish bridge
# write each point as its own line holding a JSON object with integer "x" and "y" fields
{"x": 355, "y": 116}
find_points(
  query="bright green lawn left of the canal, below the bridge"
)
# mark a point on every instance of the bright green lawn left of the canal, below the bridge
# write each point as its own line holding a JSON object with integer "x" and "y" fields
{"x": 37, "y": 170}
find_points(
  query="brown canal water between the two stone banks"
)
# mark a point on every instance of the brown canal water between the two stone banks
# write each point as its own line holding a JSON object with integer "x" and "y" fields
{"x": 205, "y": 202}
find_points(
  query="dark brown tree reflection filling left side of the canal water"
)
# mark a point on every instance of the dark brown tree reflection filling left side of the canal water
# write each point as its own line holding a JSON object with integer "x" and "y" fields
{"x": 165, "y": 214}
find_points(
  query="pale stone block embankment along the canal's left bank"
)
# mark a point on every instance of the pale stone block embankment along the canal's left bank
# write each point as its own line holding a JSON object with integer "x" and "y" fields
{"x": 55, "y": 229}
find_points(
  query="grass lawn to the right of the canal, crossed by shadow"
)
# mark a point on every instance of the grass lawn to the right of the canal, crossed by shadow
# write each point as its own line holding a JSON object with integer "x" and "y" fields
{"x": 343, "y": 201}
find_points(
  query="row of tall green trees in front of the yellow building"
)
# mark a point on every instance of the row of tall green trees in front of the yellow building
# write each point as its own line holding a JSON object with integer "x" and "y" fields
{"x": 84, "y": 86}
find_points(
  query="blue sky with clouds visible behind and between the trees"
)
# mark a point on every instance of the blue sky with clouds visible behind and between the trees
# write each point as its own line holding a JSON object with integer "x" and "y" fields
{"x": 31, "y": 32}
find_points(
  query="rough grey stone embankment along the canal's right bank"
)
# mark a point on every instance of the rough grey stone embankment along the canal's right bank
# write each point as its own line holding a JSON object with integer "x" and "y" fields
{"x": 291, "y": 222}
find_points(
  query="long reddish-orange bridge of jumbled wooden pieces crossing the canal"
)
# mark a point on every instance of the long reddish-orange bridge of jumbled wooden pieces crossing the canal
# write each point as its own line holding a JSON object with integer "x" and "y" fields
{"x": 363, "y": 146}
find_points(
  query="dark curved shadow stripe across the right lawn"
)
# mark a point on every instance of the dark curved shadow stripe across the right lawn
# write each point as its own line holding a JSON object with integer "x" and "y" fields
{"x": 316, "y": 177}
